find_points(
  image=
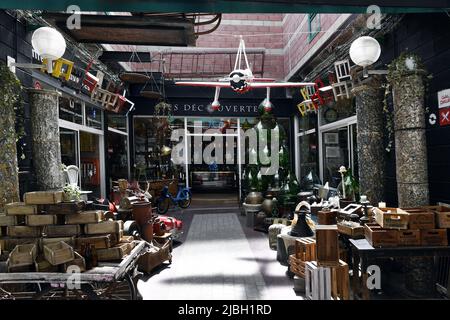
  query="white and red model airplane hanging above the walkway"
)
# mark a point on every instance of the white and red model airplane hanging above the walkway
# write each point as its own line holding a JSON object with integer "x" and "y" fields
{"x": 242, "y": 80}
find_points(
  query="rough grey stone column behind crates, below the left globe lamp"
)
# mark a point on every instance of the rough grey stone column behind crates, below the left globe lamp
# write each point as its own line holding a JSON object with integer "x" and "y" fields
{"x": 47, "y": 164}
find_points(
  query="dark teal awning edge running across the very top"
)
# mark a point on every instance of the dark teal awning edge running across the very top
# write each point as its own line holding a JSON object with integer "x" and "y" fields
{"x": 233, "y": 6}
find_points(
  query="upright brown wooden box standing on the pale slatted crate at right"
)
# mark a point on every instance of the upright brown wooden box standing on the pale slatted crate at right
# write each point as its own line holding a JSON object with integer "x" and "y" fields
{"x": 327, "y": 245}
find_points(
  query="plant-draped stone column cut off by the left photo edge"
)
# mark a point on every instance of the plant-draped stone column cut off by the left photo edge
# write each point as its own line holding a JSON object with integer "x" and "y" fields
{"x": 9, "y": 177}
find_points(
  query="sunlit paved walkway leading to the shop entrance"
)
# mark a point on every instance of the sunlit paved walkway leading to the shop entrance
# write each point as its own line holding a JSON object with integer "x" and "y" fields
{"x": 219, "y": 259}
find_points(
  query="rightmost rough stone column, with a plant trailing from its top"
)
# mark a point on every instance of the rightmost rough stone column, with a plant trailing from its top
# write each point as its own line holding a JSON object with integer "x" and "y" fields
{"x": 406, "y": 77}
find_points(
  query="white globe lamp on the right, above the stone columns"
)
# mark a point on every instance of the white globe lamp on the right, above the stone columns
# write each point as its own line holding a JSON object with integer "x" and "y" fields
{"x": 365, "y": 51}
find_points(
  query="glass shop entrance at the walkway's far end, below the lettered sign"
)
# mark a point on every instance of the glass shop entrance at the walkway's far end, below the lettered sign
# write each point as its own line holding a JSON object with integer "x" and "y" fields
{"x": 214, "y": 167}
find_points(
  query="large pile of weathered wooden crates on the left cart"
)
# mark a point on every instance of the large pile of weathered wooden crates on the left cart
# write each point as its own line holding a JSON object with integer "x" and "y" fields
{"x": 45, "y": 234}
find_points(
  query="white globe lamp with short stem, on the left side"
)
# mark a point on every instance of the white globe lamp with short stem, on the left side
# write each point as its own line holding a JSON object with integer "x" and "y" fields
{"x": 49, "y": 44}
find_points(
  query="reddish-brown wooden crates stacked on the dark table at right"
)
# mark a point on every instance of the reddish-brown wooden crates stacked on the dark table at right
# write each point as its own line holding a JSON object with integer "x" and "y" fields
{"x": 422, "y": 226}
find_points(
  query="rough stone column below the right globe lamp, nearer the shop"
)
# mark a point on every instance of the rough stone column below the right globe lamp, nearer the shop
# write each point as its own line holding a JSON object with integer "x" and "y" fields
{"x": 370, "y": 132}
